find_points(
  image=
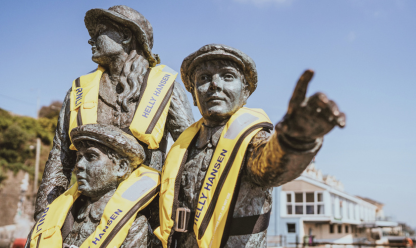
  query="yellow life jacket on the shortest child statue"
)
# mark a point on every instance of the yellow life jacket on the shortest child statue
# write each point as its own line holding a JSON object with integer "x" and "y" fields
{"x": 131, "y": 196}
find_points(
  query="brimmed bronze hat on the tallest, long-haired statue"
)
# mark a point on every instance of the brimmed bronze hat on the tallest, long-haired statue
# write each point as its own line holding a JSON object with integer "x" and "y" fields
{"x": 130, "y": 18}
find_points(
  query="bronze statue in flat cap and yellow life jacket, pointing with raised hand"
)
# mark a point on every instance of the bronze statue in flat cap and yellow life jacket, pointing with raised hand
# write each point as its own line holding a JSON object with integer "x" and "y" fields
{"x": 218, "y": 176}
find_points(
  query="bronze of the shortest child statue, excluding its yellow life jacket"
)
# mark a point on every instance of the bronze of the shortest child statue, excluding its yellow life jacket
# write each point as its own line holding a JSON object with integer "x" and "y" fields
{"x": 104, "y": 159}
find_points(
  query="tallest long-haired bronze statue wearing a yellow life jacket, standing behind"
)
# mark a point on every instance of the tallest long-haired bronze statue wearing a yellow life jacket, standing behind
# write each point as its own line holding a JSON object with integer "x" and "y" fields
{"x": 127, "y": 91}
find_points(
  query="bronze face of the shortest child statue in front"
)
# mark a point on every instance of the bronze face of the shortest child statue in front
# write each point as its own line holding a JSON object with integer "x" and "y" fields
{"x": 96, "y": 172}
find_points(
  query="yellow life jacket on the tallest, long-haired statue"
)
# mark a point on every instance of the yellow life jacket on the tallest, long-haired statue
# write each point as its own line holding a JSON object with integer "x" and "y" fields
{"x": 149, "y": 119}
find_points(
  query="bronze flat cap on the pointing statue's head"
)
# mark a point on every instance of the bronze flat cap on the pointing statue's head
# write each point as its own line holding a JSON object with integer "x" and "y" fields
{"x": 214, "y": 52}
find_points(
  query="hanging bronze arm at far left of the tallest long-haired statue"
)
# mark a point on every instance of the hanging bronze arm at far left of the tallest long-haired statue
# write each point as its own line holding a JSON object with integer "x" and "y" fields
{"x": 61, "y": 161}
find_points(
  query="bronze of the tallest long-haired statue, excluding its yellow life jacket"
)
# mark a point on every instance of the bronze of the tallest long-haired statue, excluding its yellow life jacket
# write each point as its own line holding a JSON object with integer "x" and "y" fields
{"x": 121, "y": 40}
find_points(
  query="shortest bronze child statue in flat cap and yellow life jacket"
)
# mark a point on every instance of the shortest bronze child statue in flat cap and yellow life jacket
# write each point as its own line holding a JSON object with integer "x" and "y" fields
{"x": 105, "y": 207}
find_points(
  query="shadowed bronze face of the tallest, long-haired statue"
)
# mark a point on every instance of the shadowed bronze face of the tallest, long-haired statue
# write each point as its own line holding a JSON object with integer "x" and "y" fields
{"x": 107, "y": 42}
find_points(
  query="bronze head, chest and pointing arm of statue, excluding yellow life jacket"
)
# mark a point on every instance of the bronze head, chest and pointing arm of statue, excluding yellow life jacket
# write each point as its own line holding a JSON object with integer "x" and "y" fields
{"x": 220, "y": 79}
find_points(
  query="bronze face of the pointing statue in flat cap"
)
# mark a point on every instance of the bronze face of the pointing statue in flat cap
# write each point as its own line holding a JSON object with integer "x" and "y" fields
{"x": 219, "y": 90}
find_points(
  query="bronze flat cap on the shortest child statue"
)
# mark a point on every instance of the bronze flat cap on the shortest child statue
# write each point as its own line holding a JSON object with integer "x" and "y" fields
{"x": 112, "y": 137}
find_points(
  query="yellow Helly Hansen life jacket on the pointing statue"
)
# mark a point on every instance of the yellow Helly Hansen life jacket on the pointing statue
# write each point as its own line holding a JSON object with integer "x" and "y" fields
{"x": 220, "y": 181}
